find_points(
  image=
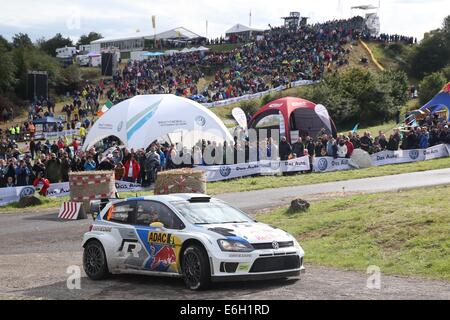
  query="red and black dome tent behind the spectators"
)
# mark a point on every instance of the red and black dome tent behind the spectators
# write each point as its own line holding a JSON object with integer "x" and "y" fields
{"x": 298, "y": 114}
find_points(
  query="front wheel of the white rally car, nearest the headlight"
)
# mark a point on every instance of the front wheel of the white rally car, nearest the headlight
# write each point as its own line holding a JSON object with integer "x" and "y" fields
{"x": 195, "y": 268}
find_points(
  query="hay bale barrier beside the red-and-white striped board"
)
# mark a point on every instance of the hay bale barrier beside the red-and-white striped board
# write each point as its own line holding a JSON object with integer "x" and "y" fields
{"x": 91, "y": 185}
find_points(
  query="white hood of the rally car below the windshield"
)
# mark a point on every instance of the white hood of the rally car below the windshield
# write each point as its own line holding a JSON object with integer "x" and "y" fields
{"x": 251, "y": 232}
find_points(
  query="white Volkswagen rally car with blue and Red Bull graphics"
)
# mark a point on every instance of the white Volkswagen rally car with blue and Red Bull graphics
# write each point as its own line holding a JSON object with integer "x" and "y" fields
{"x": 192, "y": 236}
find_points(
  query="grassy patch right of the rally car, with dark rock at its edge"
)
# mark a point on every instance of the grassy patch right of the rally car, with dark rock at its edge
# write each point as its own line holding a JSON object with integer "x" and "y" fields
{"x": 405, "y": 233}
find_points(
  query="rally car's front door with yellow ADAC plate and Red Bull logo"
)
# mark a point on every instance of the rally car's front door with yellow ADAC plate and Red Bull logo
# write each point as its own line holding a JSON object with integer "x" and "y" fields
{"x": 162, "y": 244}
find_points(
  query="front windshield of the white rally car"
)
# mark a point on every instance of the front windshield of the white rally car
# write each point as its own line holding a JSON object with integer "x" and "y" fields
{"x": 210, "y": 212}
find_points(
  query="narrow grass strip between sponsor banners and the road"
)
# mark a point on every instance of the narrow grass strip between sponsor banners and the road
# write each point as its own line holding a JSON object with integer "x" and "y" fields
{"x": 267, "y": 182}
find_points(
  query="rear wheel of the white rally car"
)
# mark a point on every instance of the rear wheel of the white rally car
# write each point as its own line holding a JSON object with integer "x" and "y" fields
{"x": 94, "y": 261}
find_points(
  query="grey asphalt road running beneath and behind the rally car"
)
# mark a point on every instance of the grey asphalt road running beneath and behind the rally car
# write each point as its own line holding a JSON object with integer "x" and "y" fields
{"x": 37, "y": 249}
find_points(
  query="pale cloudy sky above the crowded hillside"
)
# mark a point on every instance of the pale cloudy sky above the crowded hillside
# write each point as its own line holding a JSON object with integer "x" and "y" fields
{"x": 45, "y": 18}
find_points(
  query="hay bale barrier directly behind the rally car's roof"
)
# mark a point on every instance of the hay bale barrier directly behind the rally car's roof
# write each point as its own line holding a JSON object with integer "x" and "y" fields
{"x": 185, "y": 180}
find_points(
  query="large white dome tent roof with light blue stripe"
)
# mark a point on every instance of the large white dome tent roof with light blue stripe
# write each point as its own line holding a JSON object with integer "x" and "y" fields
{"x": 142, "y": 119}
